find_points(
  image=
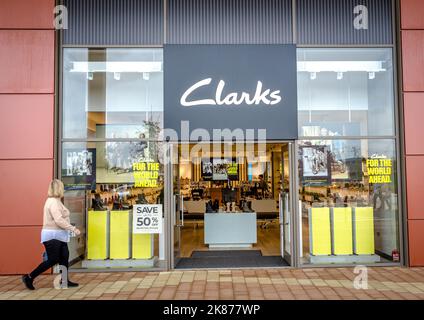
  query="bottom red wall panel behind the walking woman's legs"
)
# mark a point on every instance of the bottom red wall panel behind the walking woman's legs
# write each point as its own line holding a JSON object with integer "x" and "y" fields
{"x": 20, "y": 249}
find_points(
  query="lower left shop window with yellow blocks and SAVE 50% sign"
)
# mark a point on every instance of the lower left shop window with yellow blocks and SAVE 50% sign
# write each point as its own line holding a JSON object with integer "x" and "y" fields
{"x": 104, "y": 181}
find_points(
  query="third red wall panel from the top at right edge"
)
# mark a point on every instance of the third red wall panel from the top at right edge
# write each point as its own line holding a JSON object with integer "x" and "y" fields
{"x": 414, "y": 113}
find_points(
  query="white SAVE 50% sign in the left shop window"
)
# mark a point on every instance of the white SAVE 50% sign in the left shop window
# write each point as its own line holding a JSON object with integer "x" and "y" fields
{"x": 147, "y": 218}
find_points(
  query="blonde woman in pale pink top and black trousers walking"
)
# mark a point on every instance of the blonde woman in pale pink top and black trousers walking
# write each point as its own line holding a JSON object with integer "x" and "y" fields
{"x": 54, "y": 235}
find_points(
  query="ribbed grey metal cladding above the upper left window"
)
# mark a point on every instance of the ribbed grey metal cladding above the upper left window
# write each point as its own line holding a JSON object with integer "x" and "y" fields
{"x": 112, "y": 22}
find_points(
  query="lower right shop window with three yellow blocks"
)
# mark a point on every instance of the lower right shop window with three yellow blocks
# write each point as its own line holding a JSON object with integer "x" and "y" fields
{"x": 349, "y": 201}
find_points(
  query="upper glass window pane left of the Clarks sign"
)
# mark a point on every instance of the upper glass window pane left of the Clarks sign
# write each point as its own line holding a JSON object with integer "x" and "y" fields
{"x": 112, "y": 93}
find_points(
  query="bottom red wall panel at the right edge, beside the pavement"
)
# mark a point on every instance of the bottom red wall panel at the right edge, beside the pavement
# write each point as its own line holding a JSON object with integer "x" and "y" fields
{"x": 416, "y": 241}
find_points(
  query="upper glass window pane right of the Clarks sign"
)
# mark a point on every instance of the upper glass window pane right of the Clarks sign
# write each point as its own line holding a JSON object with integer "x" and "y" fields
{"x": 345, "y": 92}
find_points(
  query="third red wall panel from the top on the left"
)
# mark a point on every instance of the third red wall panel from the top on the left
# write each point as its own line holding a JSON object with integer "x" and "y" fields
{"x": 26, "y": 126}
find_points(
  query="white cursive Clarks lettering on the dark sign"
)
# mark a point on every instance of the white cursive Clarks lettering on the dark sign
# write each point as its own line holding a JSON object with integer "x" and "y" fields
{"x": 261, "y": 96}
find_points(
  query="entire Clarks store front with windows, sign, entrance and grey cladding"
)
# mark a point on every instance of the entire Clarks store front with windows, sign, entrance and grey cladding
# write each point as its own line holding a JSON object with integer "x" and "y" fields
{"x": 230, "y": 134}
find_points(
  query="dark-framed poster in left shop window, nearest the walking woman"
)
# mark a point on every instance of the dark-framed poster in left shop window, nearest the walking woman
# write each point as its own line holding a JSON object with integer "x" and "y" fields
{"x": 79, "y": 169}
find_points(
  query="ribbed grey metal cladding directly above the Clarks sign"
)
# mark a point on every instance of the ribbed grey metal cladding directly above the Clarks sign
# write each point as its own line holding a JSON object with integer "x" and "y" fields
{"x": 229, "y": 21}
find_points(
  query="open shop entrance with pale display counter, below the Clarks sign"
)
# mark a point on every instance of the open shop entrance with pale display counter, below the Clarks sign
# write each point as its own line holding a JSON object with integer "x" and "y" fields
{"x": 232, "y": 205}
